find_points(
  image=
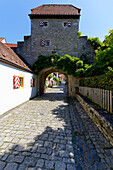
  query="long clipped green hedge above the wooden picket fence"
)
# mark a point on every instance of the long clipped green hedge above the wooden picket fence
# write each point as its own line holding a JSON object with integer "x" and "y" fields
{"x": 103, "y": 81}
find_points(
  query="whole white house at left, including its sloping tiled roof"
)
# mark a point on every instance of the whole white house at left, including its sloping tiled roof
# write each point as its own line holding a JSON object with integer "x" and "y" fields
{"x": 17, "y": 82}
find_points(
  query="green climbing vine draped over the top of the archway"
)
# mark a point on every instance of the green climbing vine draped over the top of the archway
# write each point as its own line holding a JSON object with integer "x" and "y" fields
{"x": 66, "y": 63}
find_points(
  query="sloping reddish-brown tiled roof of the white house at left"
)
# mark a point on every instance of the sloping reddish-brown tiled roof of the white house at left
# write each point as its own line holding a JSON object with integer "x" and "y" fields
{"x": 9, "y": 56}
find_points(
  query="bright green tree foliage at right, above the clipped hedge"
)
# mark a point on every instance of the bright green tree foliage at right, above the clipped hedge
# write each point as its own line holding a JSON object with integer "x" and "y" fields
{"x": 104, "y": 56}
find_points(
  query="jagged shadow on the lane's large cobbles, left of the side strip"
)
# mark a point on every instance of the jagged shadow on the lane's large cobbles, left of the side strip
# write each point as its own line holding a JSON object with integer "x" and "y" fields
{"x": 52, "y": 149}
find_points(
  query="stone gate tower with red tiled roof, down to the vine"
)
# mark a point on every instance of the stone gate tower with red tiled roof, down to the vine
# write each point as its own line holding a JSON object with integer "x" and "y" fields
{"x": 54, "y": 30}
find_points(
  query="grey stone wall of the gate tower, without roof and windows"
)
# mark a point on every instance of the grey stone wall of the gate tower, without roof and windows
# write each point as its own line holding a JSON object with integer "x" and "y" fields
{"x": 63, "y": 40}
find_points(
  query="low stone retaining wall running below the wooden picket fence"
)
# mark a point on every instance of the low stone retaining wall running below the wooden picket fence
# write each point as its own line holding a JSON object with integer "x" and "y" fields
{"x": 103, "y": 125}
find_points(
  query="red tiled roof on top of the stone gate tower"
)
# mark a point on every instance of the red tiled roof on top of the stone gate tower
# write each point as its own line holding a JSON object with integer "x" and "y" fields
{"x": 56, "y": 10}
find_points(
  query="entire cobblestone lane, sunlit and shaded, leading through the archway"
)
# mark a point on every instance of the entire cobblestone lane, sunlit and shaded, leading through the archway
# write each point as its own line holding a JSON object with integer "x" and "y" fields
{"x": 52, "y": 132}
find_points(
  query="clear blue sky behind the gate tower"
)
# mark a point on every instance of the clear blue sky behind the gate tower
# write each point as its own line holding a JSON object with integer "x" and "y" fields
{"x": 96, "y": 17}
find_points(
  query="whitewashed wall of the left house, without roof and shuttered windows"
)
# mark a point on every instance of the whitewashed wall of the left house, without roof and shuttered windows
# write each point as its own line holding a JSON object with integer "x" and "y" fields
{"x": 10, "y": 97}
